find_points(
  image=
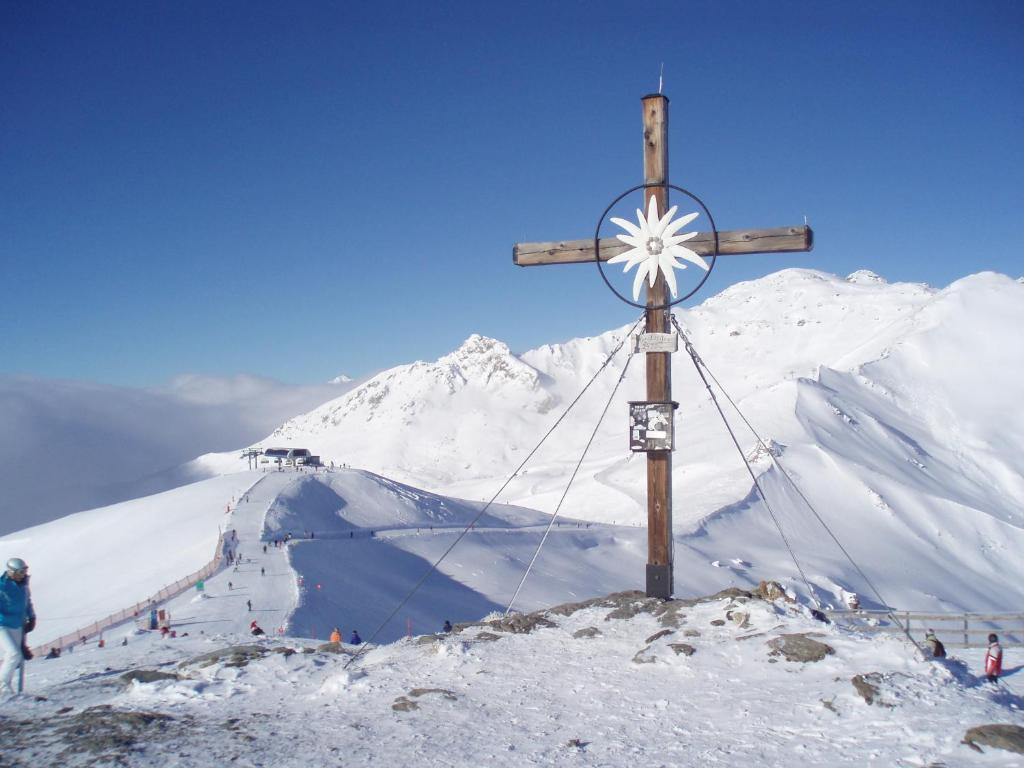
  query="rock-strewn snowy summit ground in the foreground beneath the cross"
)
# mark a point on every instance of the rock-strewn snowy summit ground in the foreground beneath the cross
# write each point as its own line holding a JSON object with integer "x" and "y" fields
{"x": 592, "y": 690}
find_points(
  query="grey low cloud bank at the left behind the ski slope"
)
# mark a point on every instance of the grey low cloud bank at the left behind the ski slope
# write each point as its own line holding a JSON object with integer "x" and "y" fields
{"x": 113, "y": 444}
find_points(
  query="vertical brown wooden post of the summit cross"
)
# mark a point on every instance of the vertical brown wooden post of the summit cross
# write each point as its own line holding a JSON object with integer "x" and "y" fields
{"x": 656, "y": 172}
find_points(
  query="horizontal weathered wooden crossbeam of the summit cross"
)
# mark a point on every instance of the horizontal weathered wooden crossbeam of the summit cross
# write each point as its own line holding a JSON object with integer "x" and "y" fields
{"x": 732, "y": 243}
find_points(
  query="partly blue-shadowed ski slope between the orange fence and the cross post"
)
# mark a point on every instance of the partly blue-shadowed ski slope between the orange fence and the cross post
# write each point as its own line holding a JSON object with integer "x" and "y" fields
{"x": 361, "y": 542}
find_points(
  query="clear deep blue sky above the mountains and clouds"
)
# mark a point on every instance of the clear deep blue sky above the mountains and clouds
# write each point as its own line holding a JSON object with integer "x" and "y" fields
{"x": 300, "y": 191}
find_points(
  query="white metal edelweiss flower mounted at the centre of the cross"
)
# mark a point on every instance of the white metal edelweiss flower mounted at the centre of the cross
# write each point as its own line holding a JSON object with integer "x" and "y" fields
{"x": 656, "y": 247}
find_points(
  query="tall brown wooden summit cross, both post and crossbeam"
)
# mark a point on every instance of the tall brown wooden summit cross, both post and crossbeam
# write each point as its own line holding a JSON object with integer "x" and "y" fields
{"x": 780, "y": 240}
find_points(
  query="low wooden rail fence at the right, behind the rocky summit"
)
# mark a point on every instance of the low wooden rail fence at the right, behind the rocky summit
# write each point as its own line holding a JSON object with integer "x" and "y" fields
{"x": 955, "y": 630}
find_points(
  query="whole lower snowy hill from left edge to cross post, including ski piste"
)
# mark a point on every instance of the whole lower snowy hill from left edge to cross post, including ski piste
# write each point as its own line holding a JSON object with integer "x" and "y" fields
{"x": 374, "y": 540}
